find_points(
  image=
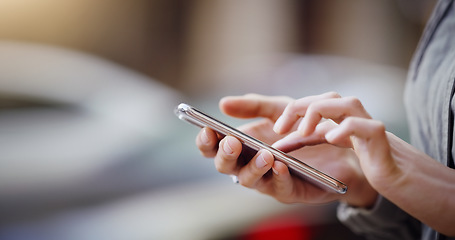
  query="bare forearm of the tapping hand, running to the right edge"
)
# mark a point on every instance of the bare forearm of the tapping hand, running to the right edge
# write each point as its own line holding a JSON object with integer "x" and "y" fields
{"x": 422, "y": 187}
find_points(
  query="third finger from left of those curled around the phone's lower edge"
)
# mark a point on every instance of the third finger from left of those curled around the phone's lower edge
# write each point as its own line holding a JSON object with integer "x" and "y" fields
{"x": 255, "y": 170}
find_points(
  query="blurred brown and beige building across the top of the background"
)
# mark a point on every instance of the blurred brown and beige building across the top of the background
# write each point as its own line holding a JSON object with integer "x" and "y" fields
{"x": 193, "y": 44}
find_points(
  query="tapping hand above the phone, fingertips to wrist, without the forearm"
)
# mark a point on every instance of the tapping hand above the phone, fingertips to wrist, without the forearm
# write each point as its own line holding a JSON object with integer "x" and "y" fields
{"x": 356, "y": 130}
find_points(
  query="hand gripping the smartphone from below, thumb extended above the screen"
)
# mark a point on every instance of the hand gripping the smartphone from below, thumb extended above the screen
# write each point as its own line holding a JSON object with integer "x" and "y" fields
{"x": 271, "y": 177}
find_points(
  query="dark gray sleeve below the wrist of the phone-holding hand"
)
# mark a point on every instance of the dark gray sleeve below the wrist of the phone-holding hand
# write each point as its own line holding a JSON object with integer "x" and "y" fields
{"x": 383, "y": 221}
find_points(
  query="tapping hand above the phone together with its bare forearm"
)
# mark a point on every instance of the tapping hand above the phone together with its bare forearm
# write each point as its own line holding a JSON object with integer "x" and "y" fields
{"x": 409, "y": 178}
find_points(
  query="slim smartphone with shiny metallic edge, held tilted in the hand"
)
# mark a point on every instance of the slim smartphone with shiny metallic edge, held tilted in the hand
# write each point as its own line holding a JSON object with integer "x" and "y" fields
{"x": 296, "y": 167}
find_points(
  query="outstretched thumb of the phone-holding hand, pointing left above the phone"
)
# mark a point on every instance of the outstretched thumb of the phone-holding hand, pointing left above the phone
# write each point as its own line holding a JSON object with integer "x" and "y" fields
{"x": 254, "y": 105}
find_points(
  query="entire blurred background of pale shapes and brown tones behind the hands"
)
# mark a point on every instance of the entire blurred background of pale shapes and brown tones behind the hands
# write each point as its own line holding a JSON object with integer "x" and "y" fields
{"x": 89, "y": 145}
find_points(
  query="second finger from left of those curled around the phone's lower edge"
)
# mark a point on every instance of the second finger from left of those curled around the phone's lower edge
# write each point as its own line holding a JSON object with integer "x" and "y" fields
{"x": 227, "y": 156}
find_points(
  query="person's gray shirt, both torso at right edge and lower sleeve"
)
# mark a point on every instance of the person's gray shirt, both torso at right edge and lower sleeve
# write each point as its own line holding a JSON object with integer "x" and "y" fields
{"x": 430, "y": 109}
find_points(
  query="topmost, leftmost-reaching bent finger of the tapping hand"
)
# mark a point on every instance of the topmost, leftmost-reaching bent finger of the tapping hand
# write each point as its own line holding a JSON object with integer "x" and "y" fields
{"x": 296, "y": 110}
